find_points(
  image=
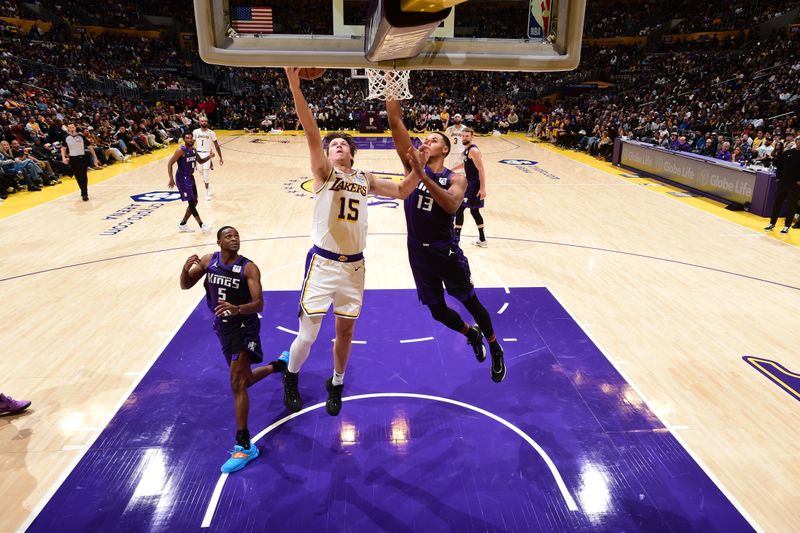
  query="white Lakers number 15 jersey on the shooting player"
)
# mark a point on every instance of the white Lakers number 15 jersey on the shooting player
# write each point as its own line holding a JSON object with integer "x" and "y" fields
{"x": 340, "y": 213}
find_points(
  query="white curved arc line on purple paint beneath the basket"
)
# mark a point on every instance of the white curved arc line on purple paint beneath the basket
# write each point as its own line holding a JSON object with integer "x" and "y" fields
{"x": 568, "y": 499}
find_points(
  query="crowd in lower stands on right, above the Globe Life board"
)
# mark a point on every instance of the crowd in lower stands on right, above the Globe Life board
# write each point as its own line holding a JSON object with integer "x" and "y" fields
{"x": 747, "y": 98}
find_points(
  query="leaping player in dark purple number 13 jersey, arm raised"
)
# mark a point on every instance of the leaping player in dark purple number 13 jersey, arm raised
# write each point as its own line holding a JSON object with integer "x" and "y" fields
{"x": 437, "y": 262}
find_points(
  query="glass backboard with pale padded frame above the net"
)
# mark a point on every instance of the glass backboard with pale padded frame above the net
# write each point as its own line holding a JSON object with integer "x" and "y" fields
{"x": 505, "y": 35}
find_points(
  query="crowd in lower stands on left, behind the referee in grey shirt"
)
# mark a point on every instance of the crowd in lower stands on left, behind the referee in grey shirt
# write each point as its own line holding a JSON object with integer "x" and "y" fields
{"x": 33, "y": 127}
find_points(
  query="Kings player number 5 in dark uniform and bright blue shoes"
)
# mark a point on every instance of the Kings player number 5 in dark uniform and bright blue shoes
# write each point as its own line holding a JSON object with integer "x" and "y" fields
{"x": 233, "y": 293}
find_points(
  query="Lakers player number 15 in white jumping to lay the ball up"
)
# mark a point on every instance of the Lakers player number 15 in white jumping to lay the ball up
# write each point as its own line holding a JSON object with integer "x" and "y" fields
{"x": 335, "y": 264}
